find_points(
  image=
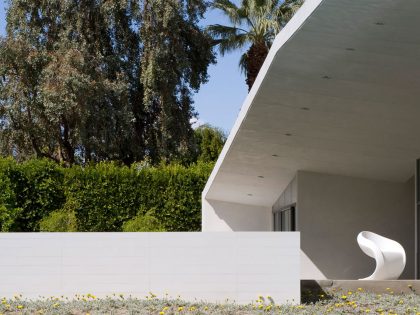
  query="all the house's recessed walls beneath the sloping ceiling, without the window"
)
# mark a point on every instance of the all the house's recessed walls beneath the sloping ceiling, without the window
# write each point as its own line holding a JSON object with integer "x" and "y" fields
{"x": 330, "y": 211}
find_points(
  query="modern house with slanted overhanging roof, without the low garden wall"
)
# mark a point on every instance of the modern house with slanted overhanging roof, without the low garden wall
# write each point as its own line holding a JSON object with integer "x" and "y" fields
{"x": 327, "y": 140}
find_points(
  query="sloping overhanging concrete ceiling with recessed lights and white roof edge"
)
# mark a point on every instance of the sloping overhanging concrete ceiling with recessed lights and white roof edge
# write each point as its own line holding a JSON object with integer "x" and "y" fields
{"x": 339, "y": 93}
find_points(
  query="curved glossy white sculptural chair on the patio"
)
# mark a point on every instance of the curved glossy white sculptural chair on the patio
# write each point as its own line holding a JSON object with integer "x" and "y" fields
{"x": 389, "y": 255}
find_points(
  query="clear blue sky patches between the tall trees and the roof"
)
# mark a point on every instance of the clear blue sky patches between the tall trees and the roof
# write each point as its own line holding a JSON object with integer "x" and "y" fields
{"x": 218, "y": 102}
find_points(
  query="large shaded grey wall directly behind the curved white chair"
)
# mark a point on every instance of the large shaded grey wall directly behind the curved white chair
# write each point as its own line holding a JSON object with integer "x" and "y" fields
{"x": 332, "y": 210}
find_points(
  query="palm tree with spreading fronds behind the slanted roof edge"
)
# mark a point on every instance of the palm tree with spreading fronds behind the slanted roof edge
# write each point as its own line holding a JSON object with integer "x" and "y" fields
{"x": 254, "y": 23}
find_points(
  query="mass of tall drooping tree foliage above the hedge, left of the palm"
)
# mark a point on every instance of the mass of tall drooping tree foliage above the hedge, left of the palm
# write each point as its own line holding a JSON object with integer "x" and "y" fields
{"x": 97, "y": 80}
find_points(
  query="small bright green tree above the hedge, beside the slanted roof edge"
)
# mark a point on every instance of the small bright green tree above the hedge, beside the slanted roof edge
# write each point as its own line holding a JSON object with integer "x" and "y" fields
{"x": 210, "y": 142}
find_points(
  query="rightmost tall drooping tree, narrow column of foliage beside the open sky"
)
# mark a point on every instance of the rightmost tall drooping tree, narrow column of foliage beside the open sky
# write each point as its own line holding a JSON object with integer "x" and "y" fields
{"x": 166, "y": 79}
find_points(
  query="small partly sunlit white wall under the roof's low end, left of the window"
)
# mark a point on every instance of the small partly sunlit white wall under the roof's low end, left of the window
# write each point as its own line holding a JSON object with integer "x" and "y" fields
{"x": 227, "y": 216}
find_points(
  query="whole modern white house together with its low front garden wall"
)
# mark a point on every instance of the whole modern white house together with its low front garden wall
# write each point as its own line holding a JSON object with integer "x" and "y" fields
{"x": 326, "y": 145}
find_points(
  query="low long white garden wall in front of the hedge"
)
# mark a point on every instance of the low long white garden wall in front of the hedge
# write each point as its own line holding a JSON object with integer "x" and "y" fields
{"x": 210, "y": 266}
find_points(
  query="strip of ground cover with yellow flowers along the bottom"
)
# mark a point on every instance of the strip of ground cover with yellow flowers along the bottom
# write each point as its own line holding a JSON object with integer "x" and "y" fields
{"x": 331, "y": 302}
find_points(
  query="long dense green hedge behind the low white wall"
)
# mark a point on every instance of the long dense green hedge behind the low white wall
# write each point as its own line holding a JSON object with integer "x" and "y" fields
{"x": 101, "y": 197}
